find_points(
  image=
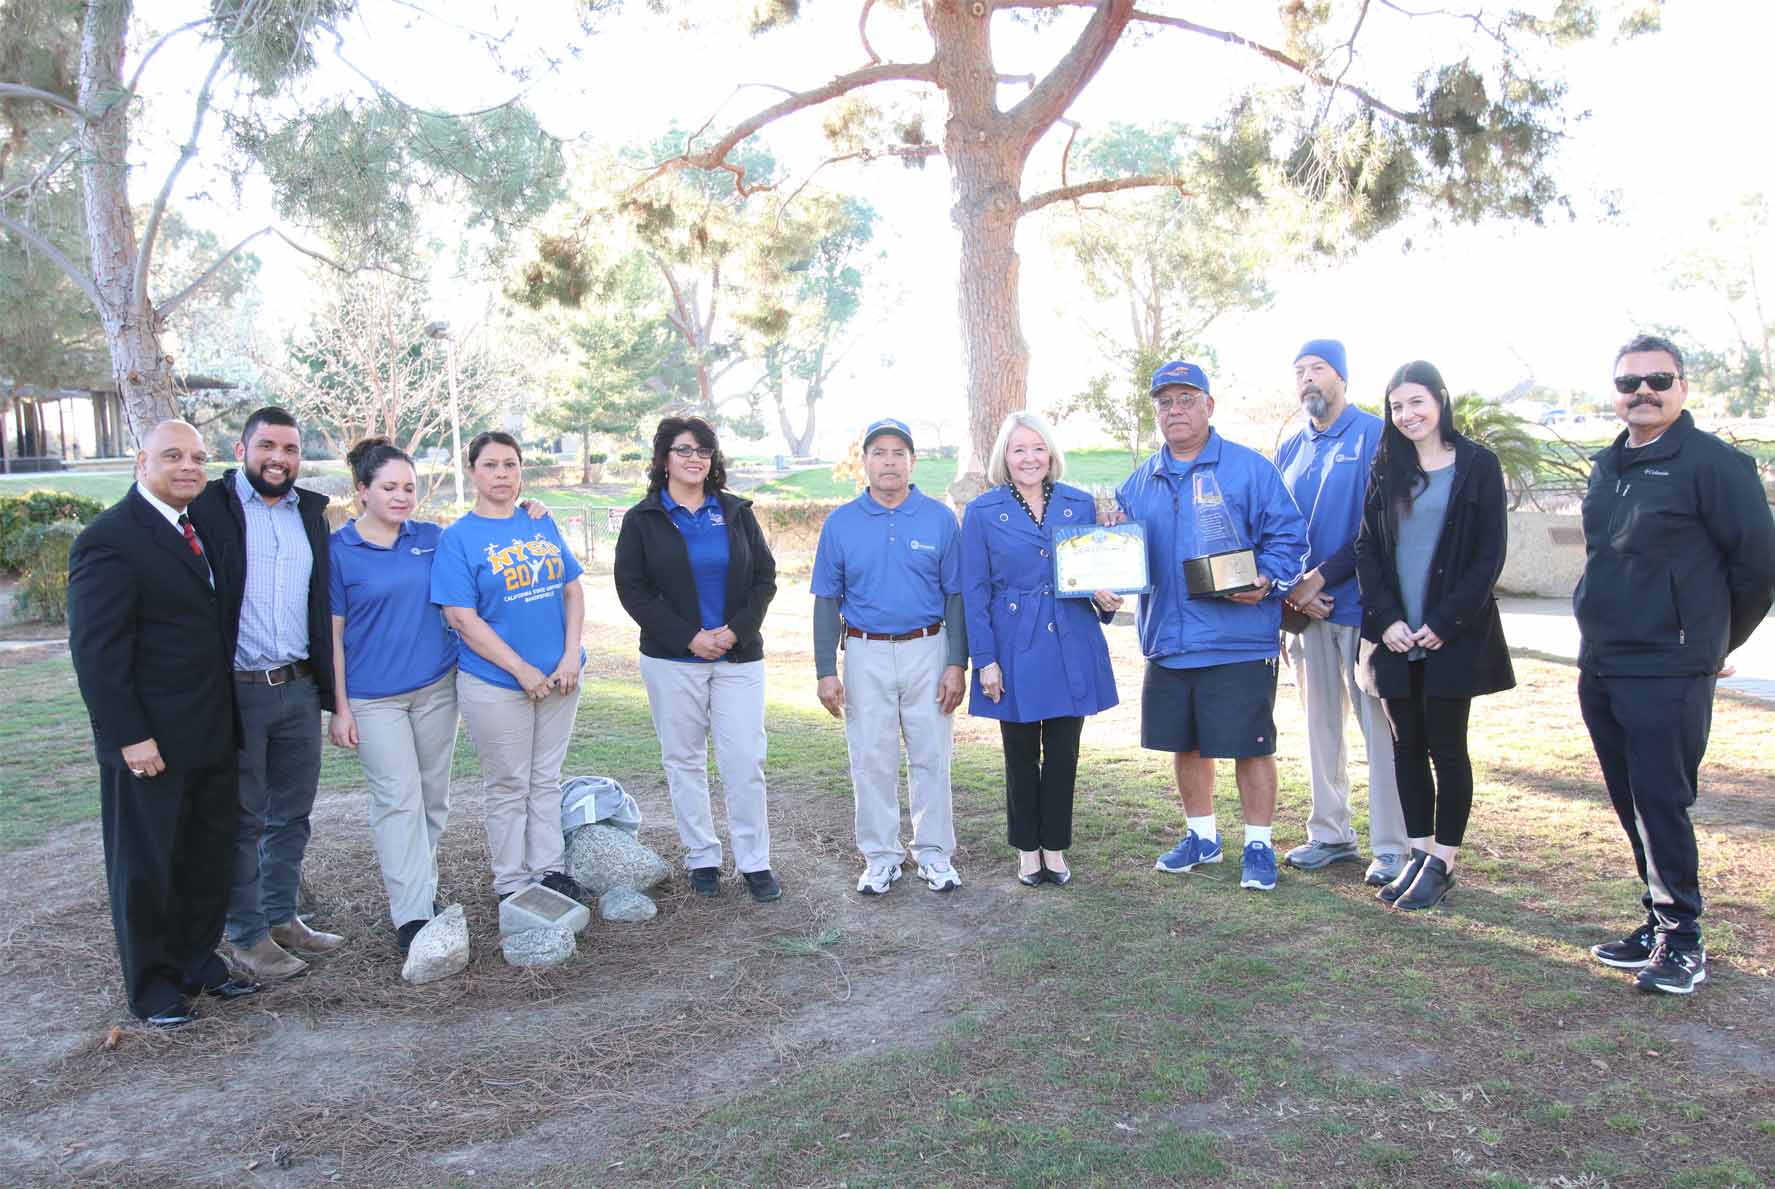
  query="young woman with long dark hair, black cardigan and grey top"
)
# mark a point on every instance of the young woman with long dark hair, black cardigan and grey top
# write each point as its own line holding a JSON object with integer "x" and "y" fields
{"x": 1428, "y": 558}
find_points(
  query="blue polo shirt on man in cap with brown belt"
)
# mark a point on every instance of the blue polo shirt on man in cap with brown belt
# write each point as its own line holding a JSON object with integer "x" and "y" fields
{"x": 890, "y": 569}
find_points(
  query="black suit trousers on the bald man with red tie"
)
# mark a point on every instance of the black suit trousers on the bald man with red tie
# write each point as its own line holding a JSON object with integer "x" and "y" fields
{"x": 168, "y": 860}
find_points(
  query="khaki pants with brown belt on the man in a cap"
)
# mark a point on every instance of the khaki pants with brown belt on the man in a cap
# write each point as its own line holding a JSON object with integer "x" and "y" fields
{"x": 892, "y": 697}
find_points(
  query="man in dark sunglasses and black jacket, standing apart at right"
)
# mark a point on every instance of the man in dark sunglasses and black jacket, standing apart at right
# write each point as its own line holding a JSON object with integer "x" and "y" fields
{"x": 1680, "y": 572}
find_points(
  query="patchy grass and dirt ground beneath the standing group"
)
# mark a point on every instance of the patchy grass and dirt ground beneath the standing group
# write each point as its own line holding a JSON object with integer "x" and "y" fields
{"x": 1135, "y": 1028}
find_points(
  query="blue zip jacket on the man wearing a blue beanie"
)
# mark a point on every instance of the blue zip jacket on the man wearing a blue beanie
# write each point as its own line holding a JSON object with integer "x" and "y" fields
{"x": 1329, "y": 476}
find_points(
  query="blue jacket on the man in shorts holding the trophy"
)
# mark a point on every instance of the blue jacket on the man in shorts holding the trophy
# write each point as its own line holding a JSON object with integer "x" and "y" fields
{"x": 1185, "y": 633}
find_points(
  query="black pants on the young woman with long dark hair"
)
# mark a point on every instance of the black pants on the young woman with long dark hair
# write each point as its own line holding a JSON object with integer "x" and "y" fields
{"x": 1433, "y": 732}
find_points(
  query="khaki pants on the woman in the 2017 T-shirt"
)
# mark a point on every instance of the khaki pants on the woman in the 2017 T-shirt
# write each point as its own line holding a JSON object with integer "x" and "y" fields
{"x": 523, "y": 746}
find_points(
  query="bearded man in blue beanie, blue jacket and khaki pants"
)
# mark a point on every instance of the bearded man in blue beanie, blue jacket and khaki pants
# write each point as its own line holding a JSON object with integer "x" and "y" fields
{"x": 1327, "y": 469}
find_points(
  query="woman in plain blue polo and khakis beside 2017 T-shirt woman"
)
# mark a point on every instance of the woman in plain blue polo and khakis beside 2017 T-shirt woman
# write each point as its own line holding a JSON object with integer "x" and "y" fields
{"x": 395, "y": 665}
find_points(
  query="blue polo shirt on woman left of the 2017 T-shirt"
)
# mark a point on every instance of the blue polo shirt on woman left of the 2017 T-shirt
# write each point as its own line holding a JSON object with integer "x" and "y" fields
{"x": 395, "y": 636}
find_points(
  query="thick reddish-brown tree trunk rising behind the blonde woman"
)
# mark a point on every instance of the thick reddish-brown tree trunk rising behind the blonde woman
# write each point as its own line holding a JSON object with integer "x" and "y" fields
{"x": 986, "y": 177}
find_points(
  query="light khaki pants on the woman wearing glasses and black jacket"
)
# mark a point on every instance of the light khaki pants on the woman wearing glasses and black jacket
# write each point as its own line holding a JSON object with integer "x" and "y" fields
{"x": 725, "y": 702}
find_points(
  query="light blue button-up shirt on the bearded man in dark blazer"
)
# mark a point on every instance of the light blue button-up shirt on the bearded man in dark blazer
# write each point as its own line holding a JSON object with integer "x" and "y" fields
{"x": 274, "y": 611}
